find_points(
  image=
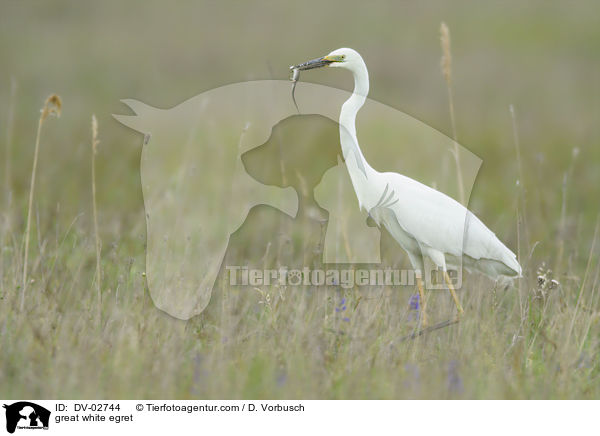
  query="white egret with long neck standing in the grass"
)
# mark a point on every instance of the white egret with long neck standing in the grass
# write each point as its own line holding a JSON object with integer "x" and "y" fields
{"x": 425, "y": 222}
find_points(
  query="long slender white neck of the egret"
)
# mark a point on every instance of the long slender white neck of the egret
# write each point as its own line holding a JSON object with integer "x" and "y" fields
{"x": 359, "y": 169}
